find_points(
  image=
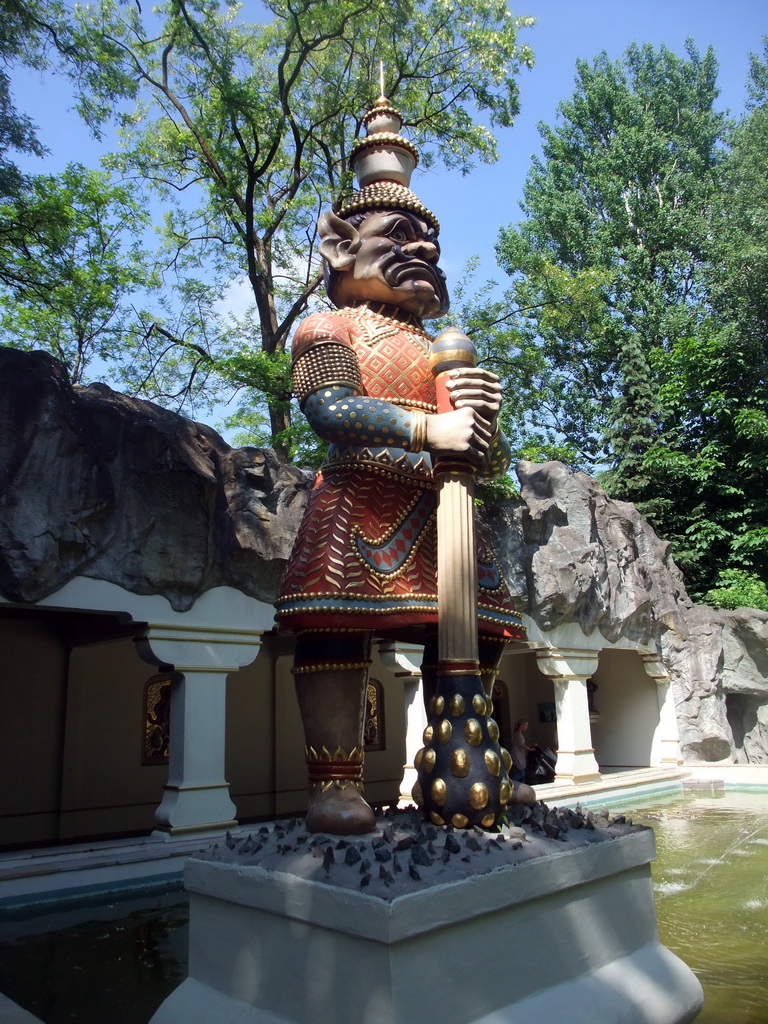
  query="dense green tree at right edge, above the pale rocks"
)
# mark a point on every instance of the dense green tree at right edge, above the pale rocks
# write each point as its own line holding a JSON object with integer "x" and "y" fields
{"x": 712, "y": 455}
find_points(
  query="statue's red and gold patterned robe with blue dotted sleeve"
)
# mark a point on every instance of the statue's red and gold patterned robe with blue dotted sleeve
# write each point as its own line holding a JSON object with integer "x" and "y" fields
{"x": 365, "y": 559}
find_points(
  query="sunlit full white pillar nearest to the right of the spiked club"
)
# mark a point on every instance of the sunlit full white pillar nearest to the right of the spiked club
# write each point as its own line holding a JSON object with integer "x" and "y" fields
{"x": 570, "y": 671}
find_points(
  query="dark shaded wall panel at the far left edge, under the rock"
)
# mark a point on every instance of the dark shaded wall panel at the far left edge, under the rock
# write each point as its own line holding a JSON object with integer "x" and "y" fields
{"x": 33, "y": 680}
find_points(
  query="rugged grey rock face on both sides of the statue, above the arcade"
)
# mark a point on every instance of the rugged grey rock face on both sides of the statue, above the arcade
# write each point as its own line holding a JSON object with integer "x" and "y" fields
{"x": 95, "y": 484}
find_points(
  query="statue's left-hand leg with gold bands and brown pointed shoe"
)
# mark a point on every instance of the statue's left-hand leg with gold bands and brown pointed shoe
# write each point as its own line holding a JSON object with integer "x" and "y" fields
{"x": 331, "y": 675}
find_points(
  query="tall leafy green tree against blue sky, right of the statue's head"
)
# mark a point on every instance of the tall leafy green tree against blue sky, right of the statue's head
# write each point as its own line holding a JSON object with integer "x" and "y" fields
{"x": 610, "y": 259}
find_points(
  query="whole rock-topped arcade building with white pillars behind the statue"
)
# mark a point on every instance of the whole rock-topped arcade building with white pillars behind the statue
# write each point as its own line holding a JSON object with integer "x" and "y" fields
{"x": 146, "y": 692}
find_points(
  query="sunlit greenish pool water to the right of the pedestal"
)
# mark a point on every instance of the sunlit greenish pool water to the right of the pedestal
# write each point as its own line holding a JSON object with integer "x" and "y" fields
{"x": 711, "y": 882}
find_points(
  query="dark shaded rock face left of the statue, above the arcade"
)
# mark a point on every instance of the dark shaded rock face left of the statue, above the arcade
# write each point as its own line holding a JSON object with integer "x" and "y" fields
{"x": 98, "y": 485}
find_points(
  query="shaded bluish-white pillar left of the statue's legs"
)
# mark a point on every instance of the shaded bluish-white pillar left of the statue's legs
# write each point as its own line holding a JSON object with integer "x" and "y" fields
{"x": 197, "y": 794}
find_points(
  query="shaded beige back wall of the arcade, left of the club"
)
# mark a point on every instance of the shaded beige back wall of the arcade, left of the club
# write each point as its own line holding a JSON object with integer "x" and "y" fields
{"x": 71, "y": 737}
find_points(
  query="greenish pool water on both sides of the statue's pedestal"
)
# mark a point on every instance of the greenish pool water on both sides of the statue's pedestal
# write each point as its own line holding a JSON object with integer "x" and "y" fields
{"x": 117, "y": 964}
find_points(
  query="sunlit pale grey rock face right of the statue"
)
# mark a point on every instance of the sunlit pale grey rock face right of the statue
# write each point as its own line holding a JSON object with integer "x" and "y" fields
{"x": 574, "y": 556}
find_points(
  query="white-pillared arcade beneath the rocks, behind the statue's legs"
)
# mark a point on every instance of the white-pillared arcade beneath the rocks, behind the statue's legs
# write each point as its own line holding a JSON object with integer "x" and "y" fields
{"x": 125, "y": 718}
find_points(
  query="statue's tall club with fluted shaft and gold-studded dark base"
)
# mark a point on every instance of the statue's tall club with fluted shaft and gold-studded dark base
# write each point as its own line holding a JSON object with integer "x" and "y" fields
{"x": 462, "y": 772}
